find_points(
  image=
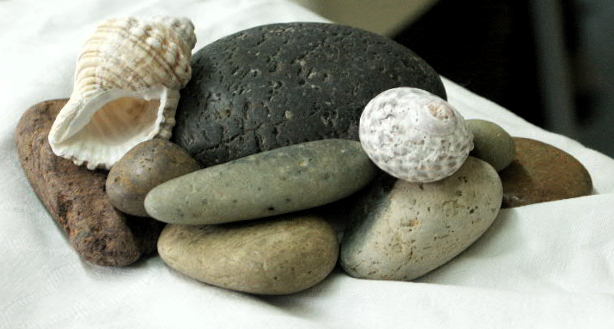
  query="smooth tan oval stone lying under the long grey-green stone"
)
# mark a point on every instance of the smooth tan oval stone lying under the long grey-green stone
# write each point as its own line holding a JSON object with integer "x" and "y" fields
{"x": 271, "y": 257}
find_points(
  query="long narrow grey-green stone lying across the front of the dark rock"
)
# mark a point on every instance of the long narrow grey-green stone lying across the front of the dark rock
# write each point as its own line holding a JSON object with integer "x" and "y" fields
{"x": 270, "y": 183}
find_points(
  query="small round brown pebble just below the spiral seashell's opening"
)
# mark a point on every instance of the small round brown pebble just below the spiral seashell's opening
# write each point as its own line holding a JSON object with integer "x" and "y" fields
{"x": 144, "y": 167}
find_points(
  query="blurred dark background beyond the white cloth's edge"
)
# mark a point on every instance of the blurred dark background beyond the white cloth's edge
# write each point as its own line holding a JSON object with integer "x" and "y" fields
{"x": 549, "y": 61}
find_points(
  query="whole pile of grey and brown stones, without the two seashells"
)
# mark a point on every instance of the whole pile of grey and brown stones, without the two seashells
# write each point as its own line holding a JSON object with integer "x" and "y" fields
{"x": 265, "y": 147}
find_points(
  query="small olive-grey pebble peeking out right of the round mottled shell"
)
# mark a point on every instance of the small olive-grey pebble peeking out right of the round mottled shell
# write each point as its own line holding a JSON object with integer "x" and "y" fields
{"x": 492, "y": 143}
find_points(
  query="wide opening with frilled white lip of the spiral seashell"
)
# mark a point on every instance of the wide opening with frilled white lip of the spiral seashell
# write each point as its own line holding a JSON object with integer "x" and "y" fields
{"x": 110, "y": 123}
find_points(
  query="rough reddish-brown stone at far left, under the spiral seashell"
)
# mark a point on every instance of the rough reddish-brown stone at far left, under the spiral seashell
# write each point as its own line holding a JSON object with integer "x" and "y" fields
{"x": 76, "y": 197}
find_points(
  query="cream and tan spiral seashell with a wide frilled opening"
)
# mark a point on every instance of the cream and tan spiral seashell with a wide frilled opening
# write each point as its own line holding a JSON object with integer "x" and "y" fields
{"x": 126, "y": 89}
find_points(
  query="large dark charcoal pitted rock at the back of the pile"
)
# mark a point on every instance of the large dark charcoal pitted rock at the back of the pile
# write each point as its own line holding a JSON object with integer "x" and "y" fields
{"x": 282, "y": 84}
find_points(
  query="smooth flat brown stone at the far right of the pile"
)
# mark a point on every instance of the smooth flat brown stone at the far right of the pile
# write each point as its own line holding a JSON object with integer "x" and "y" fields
{"x": 540, "y": 173}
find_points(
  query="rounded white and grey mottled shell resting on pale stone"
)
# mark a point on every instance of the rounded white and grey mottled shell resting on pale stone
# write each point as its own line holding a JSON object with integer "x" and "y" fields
{"x": 414, "y": 135}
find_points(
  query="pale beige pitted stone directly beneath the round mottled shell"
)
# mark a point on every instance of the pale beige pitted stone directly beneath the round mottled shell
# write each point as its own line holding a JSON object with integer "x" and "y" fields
{"x": 402, "y": 230}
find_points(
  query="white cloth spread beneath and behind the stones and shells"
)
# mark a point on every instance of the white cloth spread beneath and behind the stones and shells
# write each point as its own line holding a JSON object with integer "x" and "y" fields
{"x": 548, "y": 265}
